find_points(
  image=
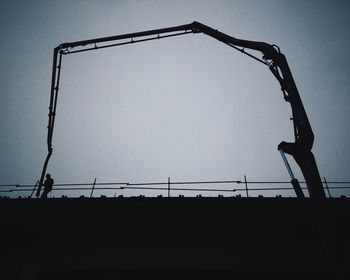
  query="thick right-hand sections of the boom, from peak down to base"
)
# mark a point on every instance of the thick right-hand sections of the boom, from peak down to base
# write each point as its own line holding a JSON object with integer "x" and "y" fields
{"x": 304, "y": 137}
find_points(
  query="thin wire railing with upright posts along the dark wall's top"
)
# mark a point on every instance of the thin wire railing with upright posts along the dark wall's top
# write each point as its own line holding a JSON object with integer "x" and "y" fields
{"x": 240, "y": 188}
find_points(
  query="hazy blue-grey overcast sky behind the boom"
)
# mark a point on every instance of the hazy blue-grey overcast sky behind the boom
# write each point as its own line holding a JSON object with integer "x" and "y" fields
{"x": 189, "y": 108}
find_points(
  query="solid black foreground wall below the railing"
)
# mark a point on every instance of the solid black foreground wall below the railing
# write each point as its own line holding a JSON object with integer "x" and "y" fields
{"x": 174, "y": 238}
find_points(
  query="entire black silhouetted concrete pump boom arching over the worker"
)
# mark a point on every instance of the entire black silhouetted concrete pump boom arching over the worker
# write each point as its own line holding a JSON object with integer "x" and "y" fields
{"x": 272, "y": 57}
